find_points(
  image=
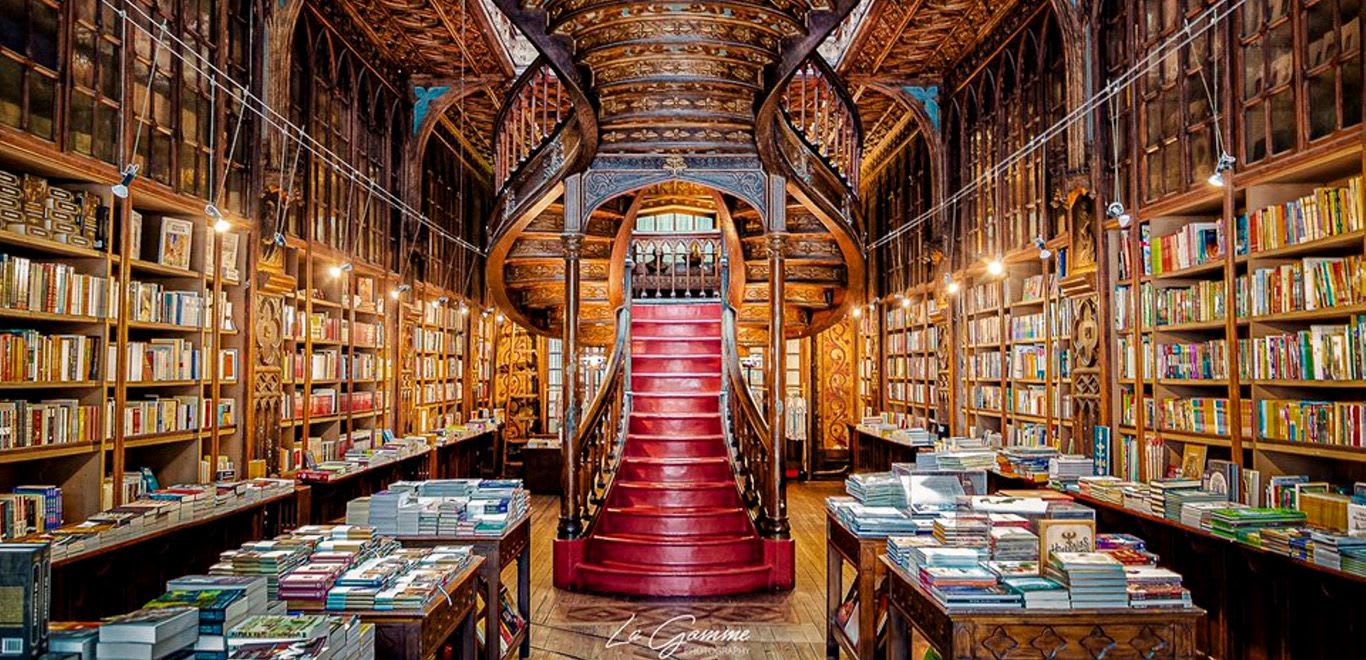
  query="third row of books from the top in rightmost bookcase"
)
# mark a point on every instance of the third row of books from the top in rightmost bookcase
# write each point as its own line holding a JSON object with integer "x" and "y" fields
{"x": 1326, "y": 352}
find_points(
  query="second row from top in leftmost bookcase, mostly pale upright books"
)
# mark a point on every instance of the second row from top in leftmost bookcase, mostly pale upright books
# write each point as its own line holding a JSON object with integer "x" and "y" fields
{"x": 53, "y": 289}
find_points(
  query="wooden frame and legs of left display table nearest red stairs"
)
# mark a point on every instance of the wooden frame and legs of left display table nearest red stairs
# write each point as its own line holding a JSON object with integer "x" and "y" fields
{"x": 498, "y": 553}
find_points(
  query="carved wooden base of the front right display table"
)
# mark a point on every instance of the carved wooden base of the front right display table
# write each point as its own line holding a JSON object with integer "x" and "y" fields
{"x": 1036, "y": 633}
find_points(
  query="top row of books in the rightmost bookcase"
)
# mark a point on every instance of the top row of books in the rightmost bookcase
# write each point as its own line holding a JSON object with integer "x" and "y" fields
{"x": 1330, "y": 211}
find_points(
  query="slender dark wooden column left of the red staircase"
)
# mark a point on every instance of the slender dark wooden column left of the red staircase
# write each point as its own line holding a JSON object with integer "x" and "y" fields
{"x": 572, "y": 512}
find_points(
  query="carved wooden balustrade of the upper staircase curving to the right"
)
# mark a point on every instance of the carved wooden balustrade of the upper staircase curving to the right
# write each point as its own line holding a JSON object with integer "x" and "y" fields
{"x": 819, "y": 107}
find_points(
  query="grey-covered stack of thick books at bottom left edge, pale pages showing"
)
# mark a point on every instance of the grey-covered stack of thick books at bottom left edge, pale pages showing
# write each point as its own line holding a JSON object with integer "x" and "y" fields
{"x": 150, "y": 633}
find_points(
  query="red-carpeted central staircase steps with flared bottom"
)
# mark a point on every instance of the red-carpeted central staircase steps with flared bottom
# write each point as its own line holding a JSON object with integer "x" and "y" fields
{"x": 674, "y": 523}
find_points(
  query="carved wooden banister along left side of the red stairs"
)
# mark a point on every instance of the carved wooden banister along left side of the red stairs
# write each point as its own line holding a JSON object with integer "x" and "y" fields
{"x": 598, "y": 445}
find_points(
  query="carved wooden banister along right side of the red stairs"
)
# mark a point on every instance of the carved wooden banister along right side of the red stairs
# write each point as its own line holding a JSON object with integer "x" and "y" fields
{"x": 748, "y": 431}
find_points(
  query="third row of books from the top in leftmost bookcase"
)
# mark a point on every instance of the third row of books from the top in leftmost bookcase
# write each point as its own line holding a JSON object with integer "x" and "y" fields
{"x": 33, "y": 357}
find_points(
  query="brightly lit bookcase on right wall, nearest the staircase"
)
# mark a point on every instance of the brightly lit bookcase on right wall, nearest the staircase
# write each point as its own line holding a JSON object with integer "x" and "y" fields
{"x": 910, "y": 361}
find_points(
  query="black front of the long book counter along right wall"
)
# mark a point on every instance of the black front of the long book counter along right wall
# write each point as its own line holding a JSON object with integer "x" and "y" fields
{"x": 1262, "y": 603}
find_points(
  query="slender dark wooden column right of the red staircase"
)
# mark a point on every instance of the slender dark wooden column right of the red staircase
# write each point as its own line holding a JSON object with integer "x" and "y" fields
{"x": 775, "y": 501}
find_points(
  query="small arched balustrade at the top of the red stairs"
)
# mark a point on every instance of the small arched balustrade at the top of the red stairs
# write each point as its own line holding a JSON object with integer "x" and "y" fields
{"x": 677, "y": 267}
